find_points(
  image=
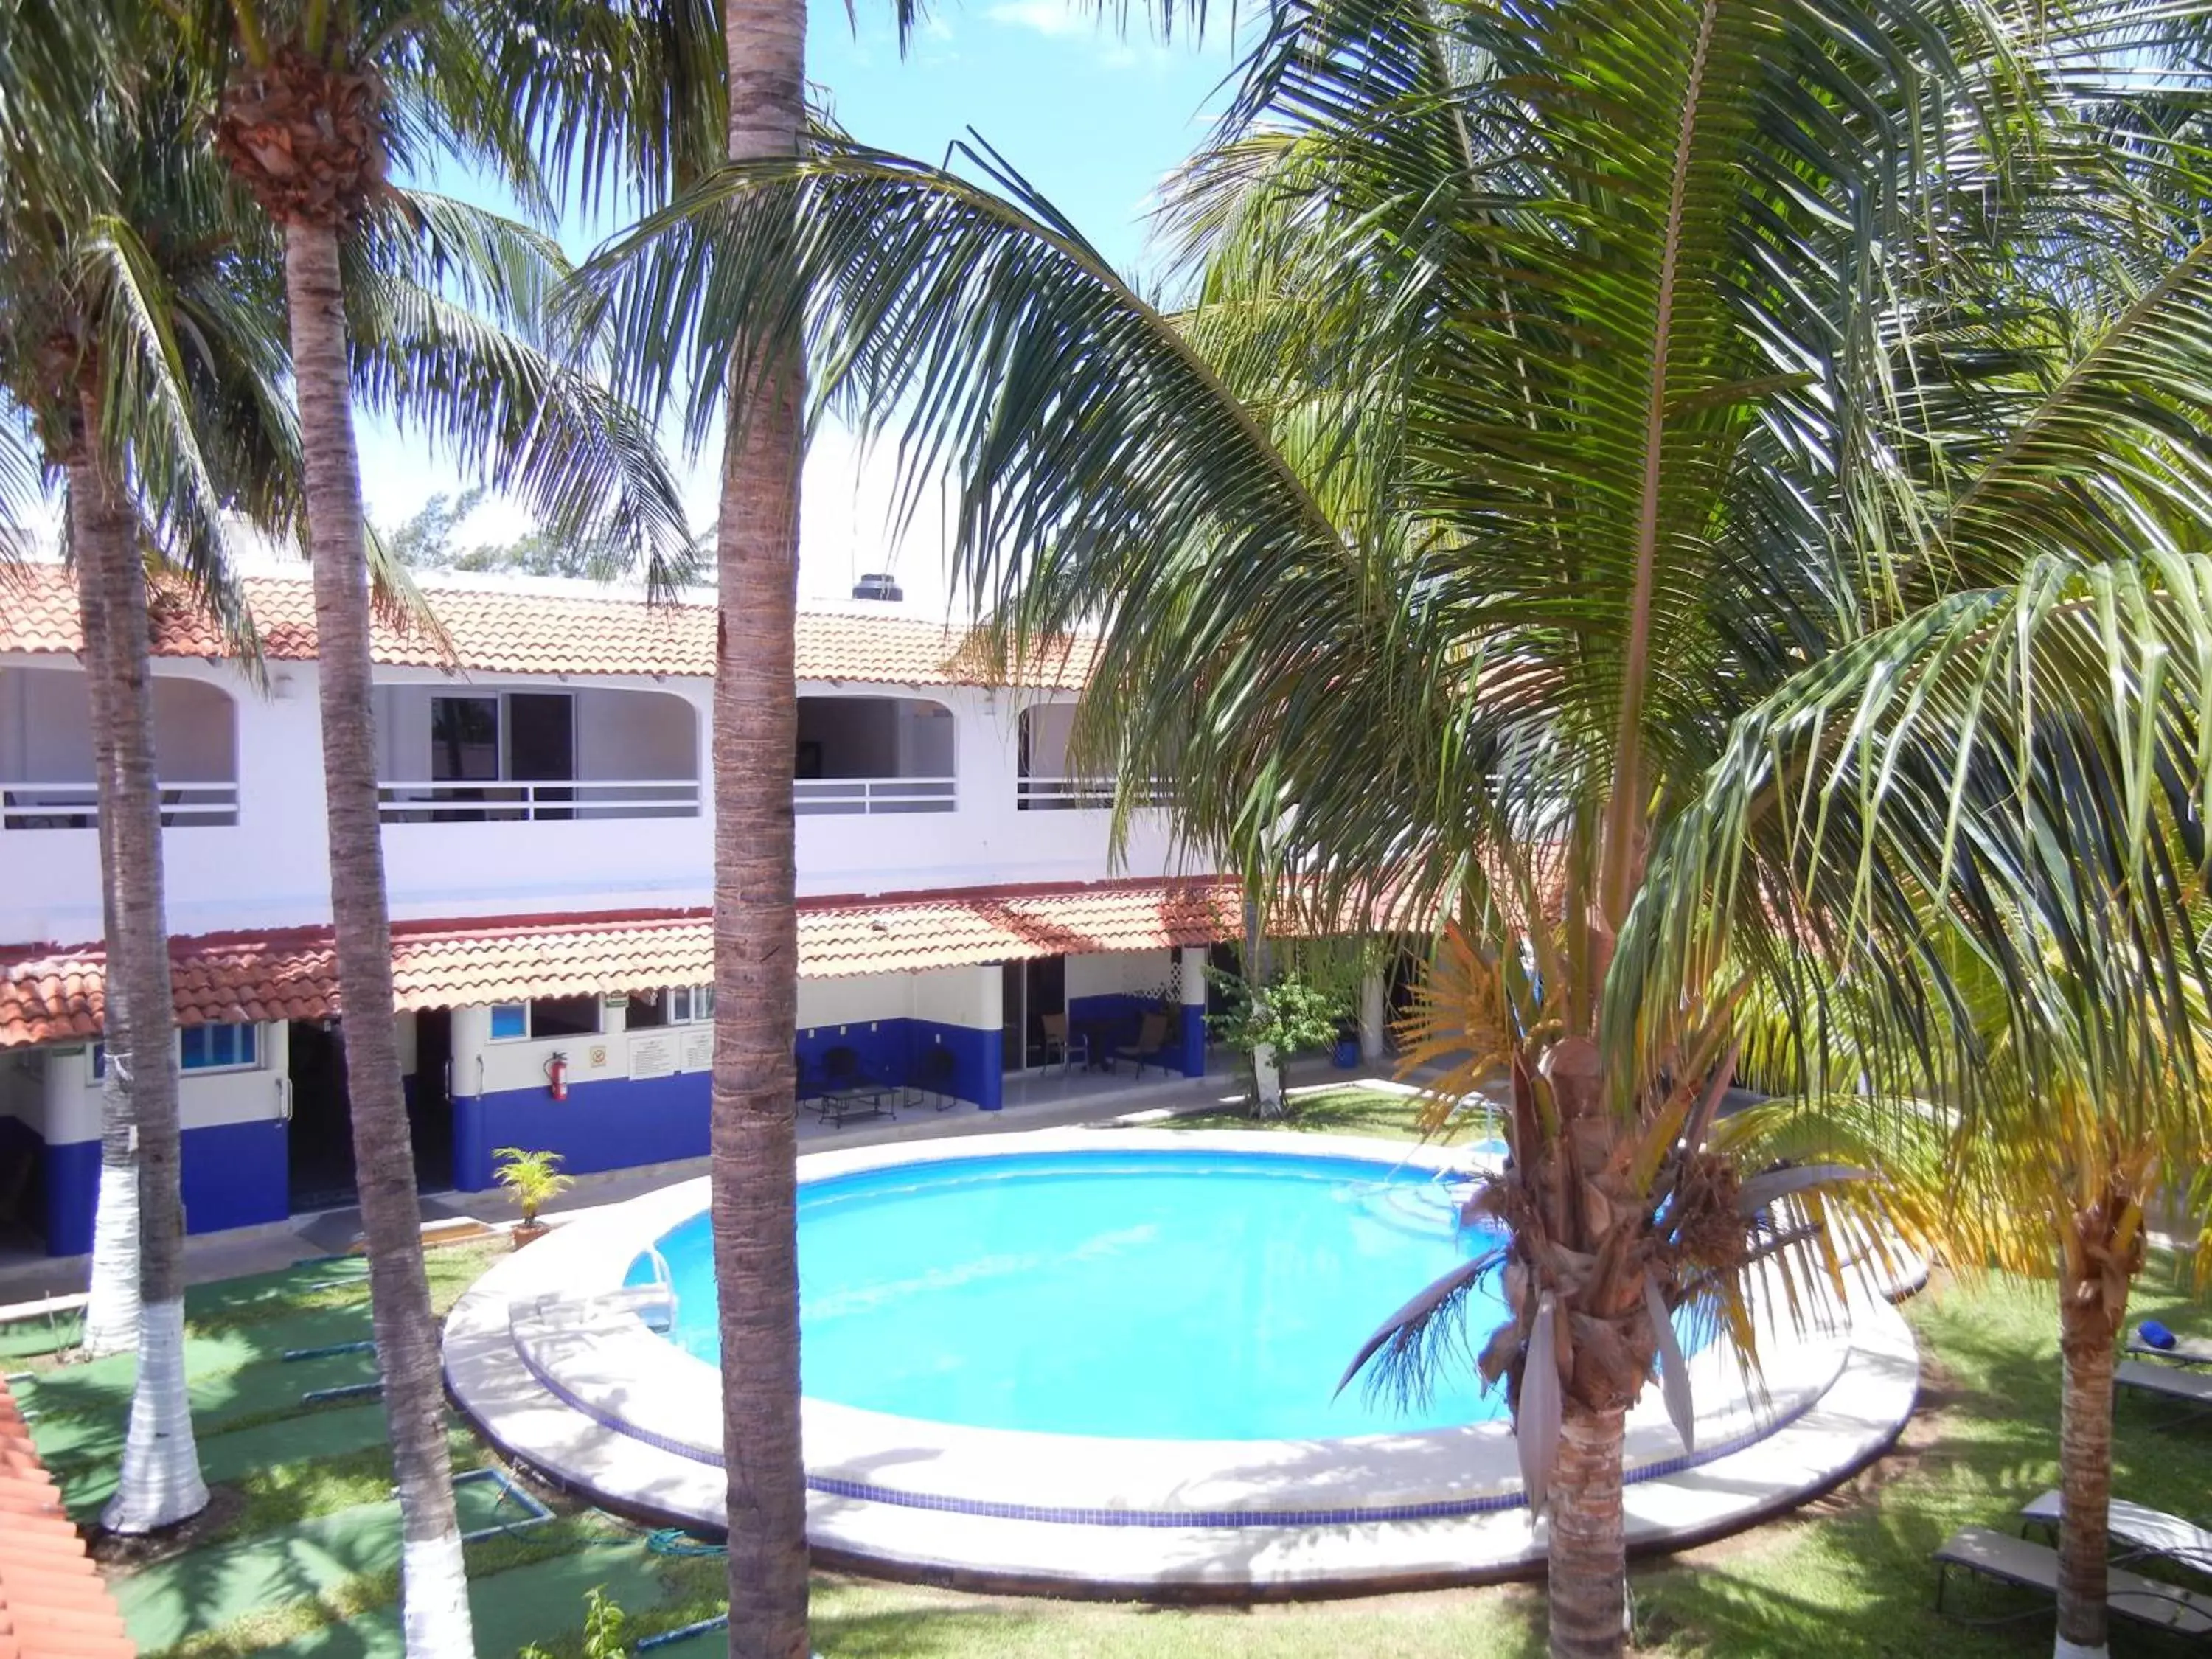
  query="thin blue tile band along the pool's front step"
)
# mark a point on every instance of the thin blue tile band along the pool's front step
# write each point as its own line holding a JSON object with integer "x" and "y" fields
{"x": 1158, "y": 1519}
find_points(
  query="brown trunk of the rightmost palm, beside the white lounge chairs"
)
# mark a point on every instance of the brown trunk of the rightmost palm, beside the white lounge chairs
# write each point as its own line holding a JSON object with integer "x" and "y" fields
{"x": 2087, "y": 1331}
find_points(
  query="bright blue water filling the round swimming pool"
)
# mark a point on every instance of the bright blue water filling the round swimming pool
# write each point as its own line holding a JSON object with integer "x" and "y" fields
{"x": 1162, "y": 1295}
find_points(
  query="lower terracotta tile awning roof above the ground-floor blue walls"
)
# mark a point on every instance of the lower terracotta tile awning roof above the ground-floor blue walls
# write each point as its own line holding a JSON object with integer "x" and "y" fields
{"x": 54, "y": 994}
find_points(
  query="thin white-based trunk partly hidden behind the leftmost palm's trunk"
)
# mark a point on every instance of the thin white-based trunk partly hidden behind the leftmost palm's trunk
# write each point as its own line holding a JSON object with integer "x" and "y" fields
{"x": 112, "y": 1311}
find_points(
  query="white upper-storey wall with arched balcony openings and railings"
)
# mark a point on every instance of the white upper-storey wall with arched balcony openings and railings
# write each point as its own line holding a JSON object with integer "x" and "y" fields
{"x": 269, "y": 870}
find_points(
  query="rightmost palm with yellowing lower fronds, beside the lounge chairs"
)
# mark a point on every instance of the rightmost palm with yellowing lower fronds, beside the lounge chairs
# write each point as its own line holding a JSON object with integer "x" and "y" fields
{"x": 2087, "y": 1112}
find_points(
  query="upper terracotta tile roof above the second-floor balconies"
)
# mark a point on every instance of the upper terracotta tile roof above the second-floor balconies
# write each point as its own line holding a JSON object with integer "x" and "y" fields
{"x": 514, "y": 632}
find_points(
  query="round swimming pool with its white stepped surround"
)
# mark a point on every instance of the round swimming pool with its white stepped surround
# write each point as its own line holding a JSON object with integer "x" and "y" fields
{"x": 1107, "y": 1361}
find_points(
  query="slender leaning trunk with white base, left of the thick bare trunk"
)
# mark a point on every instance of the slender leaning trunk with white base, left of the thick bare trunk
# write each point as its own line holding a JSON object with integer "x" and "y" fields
{"x": 435, "y": 1592}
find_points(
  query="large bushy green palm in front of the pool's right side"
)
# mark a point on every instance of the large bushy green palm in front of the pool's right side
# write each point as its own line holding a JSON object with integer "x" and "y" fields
{"x": 1563, "y": 397}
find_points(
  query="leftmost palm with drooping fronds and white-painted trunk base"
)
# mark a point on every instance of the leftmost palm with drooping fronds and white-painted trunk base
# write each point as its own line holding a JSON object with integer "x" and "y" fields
{"x": 143, "y": 355}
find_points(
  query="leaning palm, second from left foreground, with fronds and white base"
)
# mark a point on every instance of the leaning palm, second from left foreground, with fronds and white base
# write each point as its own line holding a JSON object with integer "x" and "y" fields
{"x": 399, "y": 298}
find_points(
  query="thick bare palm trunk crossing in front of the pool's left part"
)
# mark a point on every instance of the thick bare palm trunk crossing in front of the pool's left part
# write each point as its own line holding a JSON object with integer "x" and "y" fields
{"x": 755, "y": 924}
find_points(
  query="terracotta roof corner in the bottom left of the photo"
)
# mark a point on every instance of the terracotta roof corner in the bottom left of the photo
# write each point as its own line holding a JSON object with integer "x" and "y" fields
{"x": 52, "y": 1598}
